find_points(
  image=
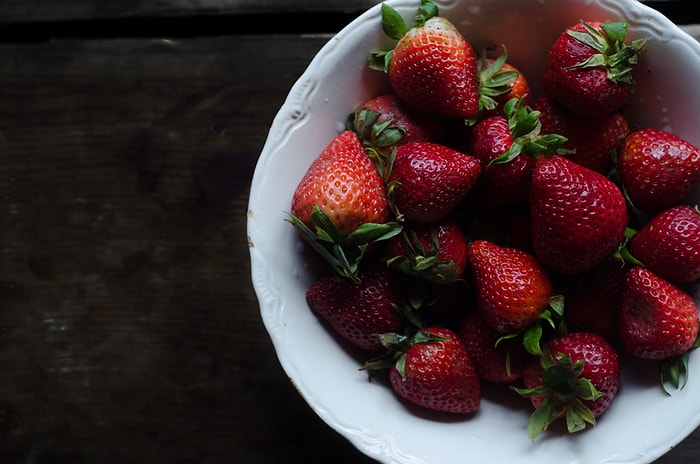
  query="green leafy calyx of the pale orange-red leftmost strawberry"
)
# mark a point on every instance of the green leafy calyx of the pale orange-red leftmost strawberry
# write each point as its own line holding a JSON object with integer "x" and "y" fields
{"x": 343, "y": 253}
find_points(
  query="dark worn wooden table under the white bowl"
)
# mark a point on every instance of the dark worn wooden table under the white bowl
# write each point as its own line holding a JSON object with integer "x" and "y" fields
{"x": 129, "y": 329}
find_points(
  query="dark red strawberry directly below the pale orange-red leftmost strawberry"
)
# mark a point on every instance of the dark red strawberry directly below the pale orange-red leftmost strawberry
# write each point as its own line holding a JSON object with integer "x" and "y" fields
{"x": 359, "y": 312}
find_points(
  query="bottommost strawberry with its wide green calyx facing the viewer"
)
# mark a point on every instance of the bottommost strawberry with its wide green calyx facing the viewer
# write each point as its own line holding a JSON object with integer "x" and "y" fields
{"x": 577, "y": 378}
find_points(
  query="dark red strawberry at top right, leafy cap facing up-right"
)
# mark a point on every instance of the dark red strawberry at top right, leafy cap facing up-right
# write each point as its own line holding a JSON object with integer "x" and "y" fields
{"x": 589, "y": 67}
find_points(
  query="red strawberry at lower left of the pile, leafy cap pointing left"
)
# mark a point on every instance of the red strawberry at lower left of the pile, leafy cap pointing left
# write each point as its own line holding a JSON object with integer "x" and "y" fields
{"x": 431, "y": 369}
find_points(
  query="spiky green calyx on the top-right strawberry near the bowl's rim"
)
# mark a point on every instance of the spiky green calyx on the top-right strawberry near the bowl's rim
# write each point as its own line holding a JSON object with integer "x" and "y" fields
{"x": 616, "y": 56}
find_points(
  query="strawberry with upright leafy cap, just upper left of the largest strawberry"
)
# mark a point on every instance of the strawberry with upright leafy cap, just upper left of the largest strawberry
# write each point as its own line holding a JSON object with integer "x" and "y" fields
{"x": 506, "y": 146}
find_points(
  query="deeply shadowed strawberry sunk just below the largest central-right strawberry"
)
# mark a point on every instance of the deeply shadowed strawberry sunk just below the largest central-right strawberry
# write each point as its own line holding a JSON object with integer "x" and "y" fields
{"x": 592, "y": 305}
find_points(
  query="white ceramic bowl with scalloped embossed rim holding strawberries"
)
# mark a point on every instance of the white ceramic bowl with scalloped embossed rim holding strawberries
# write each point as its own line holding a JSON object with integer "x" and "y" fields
{"x": 641, "y": 425}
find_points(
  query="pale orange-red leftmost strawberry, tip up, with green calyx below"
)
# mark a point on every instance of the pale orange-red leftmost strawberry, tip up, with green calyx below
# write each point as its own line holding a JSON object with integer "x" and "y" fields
{"x": 340, "y": 205}
